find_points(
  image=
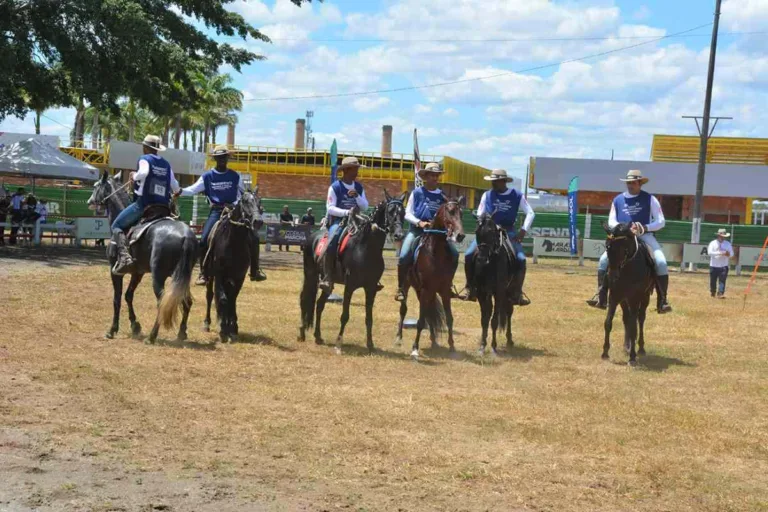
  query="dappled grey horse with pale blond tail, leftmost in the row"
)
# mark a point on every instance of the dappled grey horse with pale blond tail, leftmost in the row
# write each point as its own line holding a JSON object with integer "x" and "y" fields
{"x": 168, "y": 248}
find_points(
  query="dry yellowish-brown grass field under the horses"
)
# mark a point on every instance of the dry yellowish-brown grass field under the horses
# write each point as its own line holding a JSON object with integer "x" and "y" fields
{"x": 272, "y": 424}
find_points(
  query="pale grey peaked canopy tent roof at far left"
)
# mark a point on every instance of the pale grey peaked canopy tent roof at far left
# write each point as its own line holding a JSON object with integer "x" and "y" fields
{"x": 35, "y": 159}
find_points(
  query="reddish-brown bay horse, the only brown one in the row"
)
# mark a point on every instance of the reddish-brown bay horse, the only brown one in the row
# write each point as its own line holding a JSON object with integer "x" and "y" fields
{"x": 432, "y": 274}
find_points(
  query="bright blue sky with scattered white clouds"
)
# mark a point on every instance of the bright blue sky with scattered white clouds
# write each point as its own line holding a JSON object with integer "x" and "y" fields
{"x": 581, "y": 102}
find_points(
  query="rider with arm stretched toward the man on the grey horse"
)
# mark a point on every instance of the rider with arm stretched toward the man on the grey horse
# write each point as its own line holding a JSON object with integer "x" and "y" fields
{"x": 222, "y": 187}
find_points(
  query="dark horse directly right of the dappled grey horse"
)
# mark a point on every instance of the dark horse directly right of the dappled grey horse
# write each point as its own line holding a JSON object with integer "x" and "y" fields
{"x": 228, "y": 260}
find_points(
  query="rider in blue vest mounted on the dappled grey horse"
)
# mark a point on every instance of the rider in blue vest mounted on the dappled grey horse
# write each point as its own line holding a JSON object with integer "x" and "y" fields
{"x": 154, "y": 182}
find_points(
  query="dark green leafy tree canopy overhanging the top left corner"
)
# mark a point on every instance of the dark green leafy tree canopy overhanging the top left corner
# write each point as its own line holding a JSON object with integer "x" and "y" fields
{"x": 101, "y": 50}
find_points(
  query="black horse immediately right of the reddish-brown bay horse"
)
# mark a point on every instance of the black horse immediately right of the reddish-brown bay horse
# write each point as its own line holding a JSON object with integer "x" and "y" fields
{"x": 495, "y": 269}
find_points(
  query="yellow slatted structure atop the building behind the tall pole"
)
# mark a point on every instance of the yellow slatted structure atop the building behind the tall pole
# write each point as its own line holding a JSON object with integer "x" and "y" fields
{"x": 720, "y": 150}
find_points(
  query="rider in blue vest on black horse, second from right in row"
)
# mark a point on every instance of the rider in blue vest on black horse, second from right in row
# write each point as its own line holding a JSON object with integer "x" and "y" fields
{"x": 502, "y": 203}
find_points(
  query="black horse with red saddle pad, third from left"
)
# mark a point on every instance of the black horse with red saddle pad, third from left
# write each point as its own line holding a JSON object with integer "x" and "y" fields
{"x": 360, "y": 265}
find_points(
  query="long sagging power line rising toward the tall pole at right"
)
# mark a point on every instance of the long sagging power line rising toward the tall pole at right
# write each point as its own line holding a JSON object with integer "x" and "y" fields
{"x": 477, "y": 79}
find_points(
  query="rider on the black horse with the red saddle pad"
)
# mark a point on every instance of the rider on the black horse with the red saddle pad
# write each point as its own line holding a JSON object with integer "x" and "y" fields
{"x": 343, "y": 195}
